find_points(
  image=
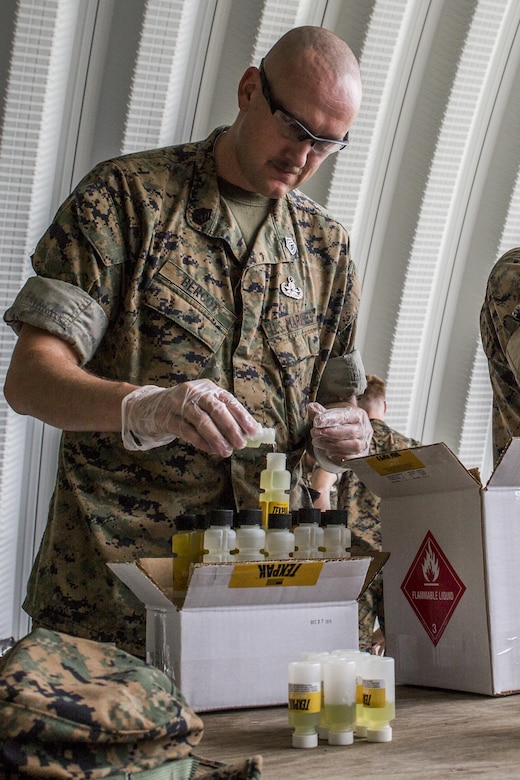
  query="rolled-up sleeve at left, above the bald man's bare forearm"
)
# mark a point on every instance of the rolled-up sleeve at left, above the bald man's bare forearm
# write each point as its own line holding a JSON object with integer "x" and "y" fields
{"x": 63, "y": 310}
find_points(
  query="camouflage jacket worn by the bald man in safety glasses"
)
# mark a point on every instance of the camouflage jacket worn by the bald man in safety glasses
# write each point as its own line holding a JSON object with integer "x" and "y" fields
{"x": 135, "y": 272}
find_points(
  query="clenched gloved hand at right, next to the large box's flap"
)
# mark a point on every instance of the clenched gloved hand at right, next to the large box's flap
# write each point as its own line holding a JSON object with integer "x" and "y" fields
{"x": 338, "y": 434}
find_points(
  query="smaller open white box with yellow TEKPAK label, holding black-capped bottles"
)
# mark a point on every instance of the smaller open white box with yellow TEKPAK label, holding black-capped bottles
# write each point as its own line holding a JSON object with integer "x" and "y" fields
{"x": 230, "y": 642}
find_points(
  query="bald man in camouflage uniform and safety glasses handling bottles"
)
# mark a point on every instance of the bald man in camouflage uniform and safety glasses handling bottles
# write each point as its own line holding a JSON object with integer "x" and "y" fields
{"x": 183, "y": 296}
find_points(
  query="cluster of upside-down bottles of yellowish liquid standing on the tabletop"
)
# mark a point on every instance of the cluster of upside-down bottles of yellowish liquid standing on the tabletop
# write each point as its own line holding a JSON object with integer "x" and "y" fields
{"x": 337, "y": 696}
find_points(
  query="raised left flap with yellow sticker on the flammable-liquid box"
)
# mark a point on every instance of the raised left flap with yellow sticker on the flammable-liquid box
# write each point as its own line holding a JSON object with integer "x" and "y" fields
{"x": 432, "y": 468}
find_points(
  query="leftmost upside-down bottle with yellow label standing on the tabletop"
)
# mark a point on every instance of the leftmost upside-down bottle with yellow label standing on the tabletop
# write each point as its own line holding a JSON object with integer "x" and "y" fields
{"x": 304, "y": 702}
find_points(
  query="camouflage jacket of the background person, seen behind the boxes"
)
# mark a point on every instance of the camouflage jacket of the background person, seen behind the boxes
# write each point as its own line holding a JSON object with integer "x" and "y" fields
{"x": 361, "y": 504}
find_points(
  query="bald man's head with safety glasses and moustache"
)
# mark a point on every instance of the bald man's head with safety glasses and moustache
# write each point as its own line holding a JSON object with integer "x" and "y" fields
{"x": 310, "y": 79}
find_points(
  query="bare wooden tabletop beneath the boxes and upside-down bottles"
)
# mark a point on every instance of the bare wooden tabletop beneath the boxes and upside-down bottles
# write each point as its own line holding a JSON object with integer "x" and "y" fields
{"x": 436, "y": 734}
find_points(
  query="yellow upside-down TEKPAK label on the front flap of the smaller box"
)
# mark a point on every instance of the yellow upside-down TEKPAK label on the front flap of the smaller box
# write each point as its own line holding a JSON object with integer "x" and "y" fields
{"x": 275, "y": 573}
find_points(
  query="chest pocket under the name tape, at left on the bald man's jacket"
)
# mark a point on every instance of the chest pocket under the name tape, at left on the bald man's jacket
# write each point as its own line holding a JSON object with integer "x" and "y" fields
{"x": 188, "y": 308}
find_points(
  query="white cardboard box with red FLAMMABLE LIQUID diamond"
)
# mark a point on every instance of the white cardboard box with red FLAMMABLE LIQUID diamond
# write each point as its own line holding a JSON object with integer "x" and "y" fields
{"x": 452, "y": 581}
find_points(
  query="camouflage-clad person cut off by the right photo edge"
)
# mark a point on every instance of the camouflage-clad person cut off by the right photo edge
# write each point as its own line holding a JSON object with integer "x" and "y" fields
{"x": 500, "y": 332}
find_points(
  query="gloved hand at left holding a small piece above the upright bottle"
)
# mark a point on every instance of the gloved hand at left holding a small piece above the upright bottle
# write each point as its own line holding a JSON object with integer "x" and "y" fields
{"x": 198, "y": 412}
